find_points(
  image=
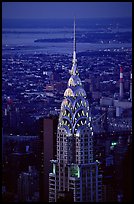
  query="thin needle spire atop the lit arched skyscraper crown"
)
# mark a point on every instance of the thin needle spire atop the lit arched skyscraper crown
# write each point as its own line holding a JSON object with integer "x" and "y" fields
{"x": 73, "y": 70}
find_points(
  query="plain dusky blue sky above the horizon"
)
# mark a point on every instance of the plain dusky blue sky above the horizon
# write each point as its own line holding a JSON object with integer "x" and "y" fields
{"x": 38, "y": 10}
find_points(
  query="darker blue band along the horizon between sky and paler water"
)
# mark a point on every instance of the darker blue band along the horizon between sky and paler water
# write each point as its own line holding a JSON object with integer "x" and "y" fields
{"x": 68, "y": 23}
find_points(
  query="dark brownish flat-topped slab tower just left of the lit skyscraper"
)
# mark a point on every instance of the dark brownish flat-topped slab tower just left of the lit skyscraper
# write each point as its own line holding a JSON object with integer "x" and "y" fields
{"x": 48, "y": 131}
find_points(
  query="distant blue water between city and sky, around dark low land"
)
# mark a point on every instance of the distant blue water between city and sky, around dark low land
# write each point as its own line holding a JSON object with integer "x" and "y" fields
{"x": 18, "y": 36}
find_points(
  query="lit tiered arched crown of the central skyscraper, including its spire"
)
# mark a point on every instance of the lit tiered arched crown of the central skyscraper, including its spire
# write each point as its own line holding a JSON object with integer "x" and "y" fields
{"x": 75, "y": 107}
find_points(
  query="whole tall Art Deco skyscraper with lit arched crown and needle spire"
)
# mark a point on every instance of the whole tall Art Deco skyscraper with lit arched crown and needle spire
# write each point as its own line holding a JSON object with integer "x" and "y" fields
{"x": 74, "y": 171}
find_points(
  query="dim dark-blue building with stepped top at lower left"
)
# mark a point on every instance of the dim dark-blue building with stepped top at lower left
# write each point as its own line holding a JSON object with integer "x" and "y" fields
{"x": 28, "y": 185}
